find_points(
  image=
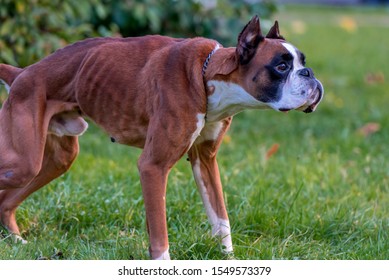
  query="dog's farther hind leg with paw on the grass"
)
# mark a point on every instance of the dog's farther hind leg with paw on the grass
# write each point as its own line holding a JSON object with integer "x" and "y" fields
{"x": 59, "y": 154}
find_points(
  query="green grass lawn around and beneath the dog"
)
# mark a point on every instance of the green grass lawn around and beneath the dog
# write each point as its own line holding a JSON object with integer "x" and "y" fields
{"x": 323, "y": 195}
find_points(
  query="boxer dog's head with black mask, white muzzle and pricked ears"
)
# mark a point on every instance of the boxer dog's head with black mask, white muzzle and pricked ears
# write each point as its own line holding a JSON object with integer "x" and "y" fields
{"x": 274, "y": 71}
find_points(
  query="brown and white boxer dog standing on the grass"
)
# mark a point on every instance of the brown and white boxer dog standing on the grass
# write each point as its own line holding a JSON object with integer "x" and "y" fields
{"x": 168, "y": 96}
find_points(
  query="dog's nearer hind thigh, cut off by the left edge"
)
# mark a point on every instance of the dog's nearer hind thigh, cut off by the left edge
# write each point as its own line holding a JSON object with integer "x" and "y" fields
{"x": 23, "y": 131}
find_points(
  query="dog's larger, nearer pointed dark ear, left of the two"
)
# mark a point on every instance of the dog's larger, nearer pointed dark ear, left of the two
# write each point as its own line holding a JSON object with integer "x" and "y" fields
{"x": 248, "y": 40}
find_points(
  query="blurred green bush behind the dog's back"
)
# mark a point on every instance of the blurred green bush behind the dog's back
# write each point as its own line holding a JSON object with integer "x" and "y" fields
{"x": 30, "y": 29}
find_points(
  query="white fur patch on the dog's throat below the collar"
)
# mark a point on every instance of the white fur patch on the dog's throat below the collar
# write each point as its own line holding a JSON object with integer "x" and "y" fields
{"x": 229, "y": 99}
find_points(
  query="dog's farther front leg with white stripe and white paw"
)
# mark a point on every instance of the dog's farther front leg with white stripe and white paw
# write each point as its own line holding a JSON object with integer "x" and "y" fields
{"x": 206, "y": 172}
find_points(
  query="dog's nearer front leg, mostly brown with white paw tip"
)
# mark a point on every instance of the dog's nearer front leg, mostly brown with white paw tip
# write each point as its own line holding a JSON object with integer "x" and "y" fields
{"x": 165, "y": 145}
